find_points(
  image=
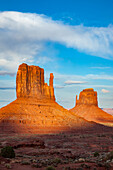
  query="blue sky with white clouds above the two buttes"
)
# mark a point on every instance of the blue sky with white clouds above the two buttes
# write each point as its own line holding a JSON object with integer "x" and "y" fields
{"x": 73, "y": 39}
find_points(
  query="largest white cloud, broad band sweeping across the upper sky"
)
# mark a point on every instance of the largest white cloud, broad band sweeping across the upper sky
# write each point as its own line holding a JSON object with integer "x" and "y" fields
{"x": 23, "y": 36}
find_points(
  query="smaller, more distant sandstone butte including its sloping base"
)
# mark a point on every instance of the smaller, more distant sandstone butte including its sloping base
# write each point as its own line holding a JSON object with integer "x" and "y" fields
{"x": 87, "y": 107}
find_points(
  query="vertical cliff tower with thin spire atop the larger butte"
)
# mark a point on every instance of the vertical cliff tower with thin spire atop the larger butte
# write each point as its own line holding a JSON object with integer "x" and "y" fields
{"x": 30, "y": 83}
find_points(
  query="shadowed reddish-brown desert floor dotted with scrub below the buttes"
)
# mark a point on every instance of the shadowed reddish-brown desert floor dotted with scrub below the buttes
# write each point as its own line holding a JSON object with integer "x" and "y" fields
{"x": 63, "y": 151}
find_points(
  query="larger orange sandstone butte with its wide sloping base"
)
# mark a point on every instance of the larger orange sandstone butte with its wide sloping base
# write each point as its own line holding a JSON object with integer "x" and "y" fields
{"x": 35, "y": 109}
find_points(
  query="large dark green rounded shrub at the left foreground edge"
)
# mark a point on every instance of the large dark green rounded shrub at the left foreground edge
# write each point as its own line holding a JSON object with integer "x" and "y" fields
{"x": 7, "y": 152}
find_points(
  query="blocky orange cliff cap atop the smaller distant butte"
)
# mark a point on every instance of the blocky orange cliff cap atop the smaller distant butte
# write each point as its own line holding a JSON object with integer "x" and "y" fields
{"x": 87, "y": 97}
